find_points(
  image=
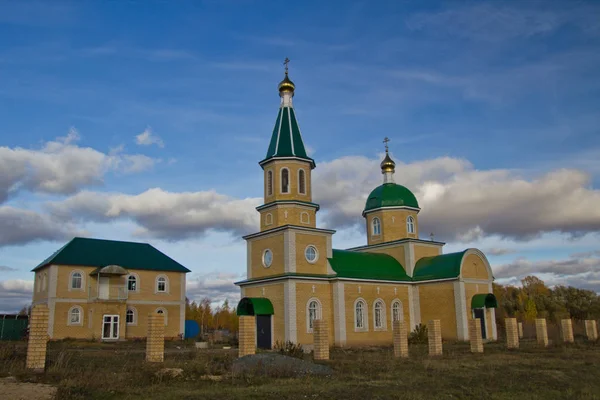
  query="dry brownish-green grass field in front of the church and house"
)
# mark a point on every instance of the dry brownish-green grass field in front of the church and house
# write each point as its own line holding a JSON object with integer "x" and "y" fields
{"x": 118, "y": 371}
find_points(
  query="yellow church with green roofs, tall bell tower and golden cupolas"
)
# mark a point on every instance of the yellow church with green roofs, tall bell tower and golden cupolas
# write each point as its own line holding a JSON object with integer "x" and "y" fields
{"x": 294, "y": 275}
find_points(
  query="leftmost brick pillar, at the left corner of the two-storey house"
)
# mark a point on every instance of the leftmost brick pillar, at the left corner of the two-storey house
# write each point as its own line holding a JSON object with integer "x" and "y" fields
{"x": 38, "y": 338}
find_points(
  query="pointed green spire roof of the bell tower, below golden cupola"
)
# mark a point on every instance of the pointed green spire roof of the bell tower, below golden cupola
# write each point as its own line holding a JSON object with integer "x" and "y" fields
{"x": 286, "y": 140}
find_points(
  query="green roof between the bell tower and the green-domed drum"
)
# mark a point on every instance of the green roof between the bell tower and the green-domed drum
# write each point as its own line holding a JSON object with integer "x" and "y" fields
{"x": 352, "y": 264}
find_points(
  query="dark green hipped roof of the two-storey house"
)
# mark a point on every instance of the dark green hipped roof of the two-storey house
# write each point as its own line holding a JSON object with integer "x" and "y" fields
{"x": 101, "y": 253}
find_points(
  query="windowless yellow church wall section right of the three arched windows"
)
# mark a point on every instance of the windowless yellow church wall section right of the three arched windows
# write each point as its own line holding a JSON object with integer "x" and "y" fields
{"x": 437, "y": 302}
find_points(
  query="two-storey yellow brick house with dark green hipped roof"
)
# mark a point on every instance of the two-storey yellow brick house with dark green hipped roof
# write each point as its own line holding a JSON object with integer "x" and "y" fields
{"x": 105, "y": 290}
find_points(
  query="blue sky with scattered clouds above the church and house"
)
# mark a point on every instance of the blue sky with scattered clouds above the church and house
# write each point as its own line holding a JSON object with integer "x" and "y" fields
{"x": 130, "y": 120}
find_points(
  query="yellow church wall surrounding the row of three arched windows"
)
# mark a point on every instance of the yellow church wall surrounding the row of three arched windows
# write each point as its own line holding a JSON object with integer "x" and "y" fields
{"x": 368, "y": 292}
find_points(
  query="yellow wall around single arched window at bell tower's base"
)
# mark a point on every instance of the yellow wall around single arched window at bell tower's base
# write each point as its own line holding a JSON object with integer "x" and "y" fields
{"x": 304, "y": 292}
